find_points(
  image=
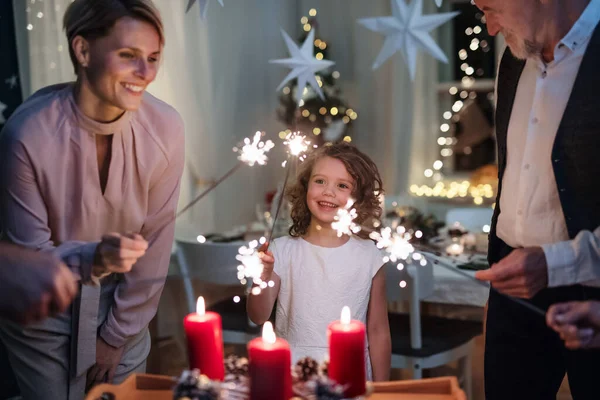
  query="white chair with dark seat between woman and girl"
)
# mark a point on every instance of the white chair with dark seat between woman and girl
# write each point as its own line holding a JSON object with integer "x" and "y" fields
{"x": 215, "y": 263}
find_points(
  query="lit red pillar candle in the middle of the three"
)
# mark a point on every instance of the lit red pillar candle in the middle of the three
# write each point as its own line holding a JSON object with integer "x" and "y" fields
{"x": 269, "y": 367}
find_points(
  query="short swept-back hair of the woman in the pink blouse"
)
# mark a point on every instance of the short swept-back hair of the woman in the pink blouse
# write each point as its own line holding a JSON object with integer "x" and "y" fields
{"x": 93, "y": 19}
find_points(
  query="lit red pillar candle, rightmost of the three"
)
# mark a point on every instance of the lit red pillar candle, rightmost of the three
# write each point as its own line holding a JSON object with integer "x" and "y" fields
{"x": 347, "y": 354}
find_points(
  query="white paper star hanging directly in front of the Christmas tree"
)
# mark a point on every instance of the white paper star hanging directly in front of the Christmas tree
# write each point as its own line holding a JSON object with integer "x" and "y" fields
{"x": 303, "y": 63}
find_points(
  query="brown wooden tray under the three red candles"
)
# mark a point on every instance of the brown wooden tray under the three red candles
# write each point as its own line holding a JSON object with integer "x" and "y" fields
{"x": 157, "y": 387}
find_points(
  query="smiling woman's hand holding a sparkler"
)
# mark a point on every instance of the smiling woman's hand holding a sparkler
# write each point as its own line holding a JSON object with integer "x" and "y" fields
{"x": 117, "y": 253}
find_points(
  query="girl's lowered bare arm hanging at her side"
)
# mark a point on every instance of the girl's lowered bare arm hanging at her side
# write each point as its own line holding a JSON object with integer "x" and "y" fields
{"x": 378, "y": 329}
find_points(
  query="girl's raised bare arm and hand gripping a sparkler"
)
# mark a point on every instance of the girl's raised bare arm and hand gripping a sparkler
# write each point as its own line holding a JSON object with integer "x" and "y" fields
{"x": 259, "y": 306}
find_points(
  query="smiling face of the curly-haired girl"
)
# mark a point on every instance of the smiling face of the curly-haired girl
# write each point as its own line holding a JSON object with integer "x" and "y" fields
{"x": 329, "y": 188}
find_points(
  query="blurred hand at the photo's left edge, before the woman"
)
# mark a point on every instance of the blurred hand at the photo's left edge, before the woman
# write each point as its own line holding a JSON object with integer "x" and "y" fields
{"x": 35, "y": 285}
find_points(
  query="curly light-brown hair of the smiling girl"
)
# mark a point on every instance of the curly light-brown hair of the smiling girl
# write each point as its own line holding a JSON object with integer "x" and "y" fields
{"x": 367, "y": 187}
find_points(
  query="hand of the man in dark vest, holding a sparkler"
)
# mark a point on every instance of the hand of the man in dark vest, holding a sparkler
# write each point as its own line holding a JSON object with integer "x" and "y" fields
{"x": 523, "y": 273}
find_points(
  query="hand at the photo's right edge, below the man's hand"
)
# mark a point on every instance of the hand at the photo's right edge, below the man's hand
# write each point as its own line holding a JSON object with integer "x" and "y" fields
{"x": 577, "y": 323}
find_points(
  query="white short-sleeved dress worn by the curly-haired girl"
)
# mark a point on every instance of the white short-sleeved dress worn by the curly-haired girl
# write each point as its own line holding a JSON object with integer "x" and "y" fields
{"x": 316, "y": 283}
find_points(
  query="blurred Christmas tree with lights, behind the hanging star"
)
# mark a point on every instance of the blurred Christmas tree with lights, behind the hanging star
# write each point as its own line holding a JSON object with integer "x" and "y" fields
{"x": 325, "y": 120}
